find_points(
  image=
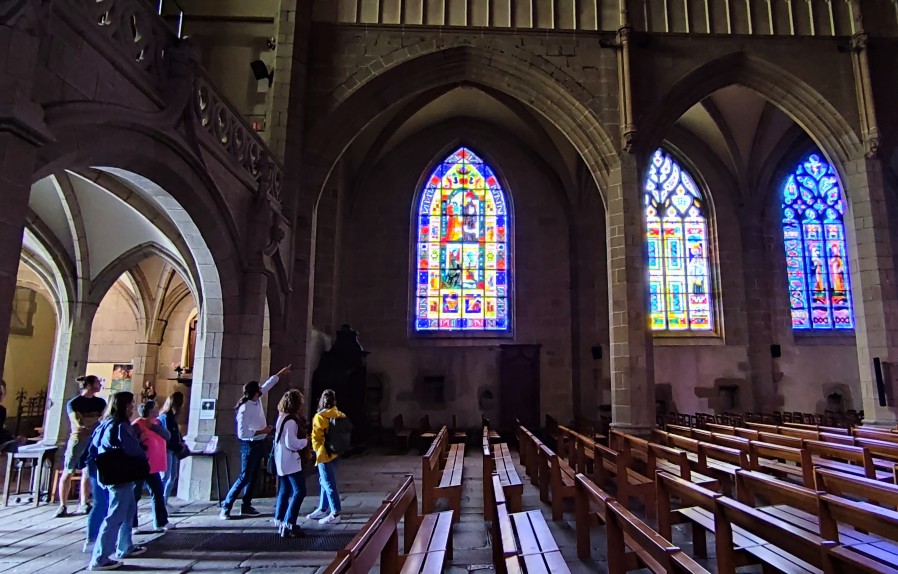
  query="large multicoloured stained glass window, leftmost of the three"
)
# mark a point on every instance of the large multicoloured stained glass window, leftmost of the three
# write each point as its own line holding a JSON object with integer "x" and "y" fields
{"x": 463, "y": 261}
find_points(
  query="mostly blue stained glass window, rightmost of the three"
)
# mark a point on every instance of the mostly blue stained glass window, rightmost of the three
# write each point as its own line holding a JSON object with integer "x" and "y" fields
{"x": 816, "y": 253}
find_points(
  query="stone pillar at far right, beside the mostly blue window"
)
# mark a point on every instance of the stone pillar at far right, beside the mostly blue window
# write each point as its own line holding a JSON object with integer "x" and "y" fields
{"x": 872, "y": 283}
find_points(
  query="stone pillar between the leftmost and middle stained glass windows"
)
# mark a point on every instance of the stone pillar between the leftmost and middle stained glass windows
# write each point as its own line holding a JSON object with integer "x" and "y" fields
{"x": 632, "y": 365}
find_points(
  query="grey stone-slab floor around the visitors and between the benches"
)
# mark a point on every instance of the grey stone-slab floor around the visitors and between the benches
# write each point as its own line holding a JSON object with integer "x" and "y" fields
{"x": 31, "y": 540}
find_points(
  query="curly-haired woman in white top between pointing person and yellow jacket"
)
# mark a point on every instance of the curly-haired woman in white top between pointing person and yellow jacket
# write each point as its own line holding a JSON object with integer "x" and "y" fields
{"x": 290, "y": 439}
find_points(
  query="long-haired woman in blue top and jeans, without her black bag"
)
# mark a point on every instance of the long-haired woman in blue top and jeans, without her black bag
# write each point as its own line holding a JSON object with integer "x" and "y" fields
{"x": 115, "y": 531}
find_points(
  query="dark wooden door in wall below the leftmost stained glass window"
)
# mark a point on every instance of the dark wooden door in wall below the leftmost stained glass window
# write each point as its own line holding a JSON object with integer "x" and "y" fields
{"x": 519, "y": 386}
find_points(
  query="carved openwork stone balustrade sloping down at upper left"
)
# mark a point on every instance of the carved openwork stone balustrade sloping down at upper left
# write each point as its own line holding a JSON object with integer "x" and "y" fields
{"x": 141, "y": 37}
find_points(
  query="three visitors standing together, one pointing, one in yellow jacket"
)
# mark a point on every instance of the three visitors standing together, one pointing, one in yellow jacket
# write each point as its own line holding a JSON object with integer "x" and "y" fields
{"x": 289, "y": 453}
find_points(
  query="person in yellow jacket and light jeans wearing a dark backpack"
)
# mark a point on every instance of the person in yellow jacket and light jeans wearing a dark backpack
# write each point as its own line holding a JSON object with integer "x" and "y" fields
{"x": 328, "y": 511}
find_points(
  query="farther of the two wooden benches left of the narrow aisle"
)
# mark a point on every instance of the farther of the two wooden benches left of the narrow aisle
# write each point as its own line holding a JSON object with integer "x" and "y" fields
{"x": 442, "y": 478}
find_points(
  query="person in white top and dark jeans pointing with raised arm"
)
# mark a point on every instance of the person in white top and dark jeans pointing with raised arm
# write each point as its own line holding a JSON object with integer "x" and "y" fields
{"x": 252, "y": 429}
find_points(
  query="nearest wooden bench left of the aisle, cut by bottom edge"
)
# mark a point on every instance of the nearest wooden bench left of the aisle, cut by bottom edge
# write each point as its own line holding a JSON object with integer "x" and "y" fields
{"x": 427, "y": 539}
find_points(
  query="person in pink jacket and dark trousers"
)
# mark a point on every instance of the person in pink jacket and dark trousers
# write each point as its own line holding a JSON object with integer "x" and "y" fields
{"x": 153, "y": 436}
